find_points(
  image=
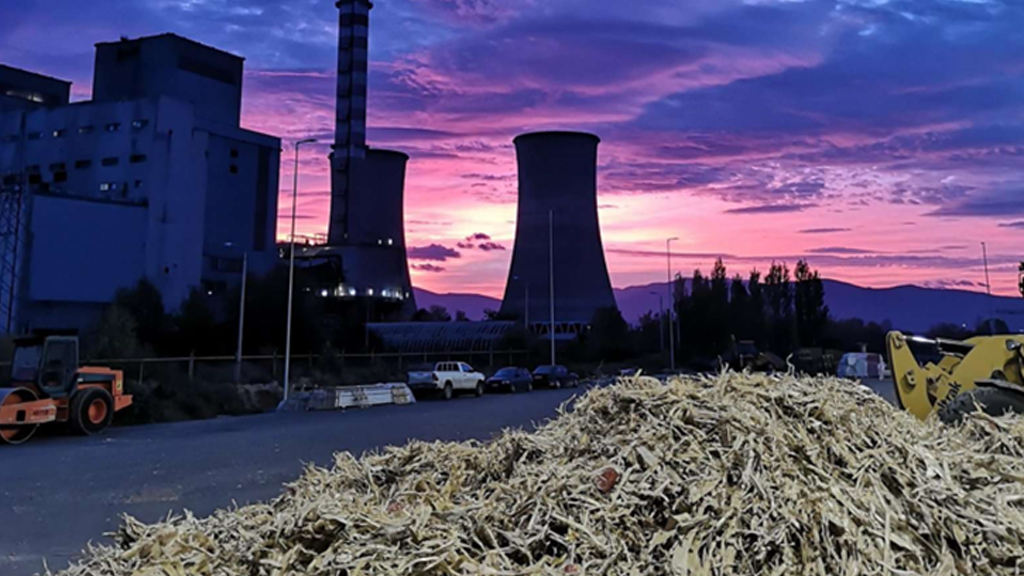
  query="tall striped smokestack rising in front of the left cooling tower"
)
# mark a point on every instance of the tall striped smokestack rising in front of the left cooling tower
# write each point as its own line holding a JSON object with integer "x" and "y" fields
{"x": 351, "y": 121}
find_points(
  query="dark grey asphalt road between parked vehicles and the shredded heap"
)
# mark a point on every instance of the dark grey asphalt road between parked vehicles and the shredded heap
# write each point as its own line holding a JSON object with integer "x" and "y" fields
{"x": 61, "y": 492}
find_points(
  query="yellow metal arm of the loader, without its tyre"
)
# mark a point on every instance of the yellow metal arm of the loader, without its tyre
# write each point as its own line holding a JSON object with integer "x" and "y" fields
{"x": 983, "y": 361}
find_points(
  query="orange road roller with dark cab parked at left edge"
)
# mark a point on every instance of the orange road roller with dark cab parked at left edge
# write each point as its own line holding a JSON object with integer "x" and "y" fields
{"x": 49, "y": 386}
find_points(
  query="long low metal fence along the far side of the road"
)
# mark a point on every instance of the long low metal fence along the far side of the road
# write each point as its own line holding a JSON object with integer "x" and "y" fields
{"x": 268, "y": 368}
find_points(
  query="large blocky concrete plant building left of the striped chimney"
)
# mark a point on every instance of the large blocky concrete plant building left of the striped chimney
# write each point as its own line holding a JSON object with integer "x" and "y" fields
{"x": 153, "y": 178}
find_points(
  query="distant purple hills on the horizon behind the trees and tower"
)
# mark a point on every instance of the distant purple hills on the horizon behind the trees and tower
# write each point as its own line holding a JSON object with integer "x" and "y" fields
{"x": 909, "y": 308}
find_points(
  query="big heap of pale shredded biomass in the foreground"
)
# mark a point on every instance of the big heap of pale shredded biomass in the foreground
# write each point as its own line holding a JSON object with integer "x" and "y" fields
{"x": 734, "y": 474}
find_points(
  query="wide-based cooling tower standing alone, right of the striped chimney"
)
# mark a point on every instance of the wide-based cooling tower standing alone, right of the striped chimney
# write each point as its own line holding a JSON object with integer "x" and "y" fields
{"x": 559, "y": 177}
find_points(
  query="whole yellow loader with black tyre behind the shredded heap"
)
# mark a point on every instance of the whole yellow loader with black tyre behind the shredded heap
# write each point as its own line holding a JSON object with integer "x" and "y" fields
{"x": 986, "y": 373}
